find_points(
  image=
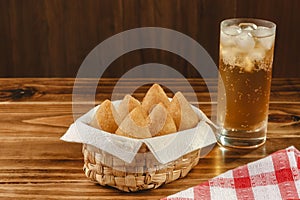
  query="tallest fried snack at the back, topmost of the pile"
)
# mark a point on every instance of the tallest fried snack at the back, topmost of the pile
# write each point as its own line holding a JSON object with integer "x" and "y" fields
{"x": 155, "y": 95}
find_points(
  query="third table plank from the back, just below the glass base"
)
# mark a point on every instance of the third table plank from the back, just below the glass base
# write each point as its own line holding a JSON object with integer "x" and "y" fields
{"x": 45, "y": 148}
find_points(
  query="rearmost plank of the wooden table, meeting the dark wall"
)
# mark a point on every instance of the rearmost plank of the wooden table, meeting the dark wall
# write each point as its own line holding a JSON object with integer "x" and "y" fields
{"x": 60, "y": 90}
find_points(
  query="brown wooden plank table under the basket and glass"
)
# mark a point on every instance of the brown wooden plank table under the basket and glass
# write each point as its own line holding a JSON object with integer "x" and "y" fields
{"x": 34, "y": 163}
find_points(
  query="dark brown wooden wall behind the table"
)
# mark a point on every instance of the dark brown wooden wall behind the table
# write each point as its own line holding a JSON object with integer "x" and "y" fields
{"x": 50, "y": 38}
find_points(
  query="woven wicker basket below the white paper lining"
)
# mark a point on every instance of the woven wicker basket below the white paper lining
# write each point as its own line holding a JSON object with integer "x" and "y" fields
{"x": 141, "y": 174}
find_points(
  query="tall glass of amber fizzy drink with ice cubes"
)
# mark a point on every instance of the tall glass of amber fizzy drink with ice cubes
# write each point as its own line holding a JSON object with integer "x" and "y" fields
{"x": 245, "y": 66}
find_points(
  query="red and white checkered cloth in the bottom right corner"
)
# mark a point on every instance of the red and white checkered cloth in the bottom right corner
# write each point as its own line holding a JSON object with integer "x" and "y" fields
{"x": 276, "y": 176}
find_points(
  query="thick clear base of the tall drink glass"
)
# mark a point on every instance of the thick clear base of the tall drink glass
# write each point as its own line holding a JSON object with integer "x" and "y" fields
{"x": 241, "y": 138}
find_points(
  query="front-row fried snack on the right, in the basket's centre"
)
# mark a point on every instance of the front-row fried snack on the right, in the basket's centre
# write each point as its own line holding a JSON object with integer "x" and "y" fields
{"x": 161, "y": 122}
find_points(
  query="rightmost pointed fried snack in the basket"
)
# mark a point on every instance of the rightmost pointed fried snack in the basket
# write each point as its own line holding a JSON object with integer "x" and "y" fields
{"x": 183, "y": 114}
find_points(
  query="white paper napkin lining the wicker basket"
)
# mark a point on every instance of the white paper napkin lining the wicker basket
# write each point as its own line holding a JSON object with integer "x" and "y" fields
{"x": 164, "y": 148}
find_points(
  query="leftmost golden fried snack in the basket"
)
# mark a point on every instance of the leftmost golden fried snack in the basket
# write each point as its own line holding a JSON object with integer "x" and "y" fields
{"x": 106, "y": 117}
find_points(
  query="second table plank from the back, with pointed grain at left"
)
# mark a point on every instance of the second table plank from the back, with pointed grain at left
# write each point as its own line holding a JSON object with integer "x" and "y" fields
{"x": 44, "y": 120}
